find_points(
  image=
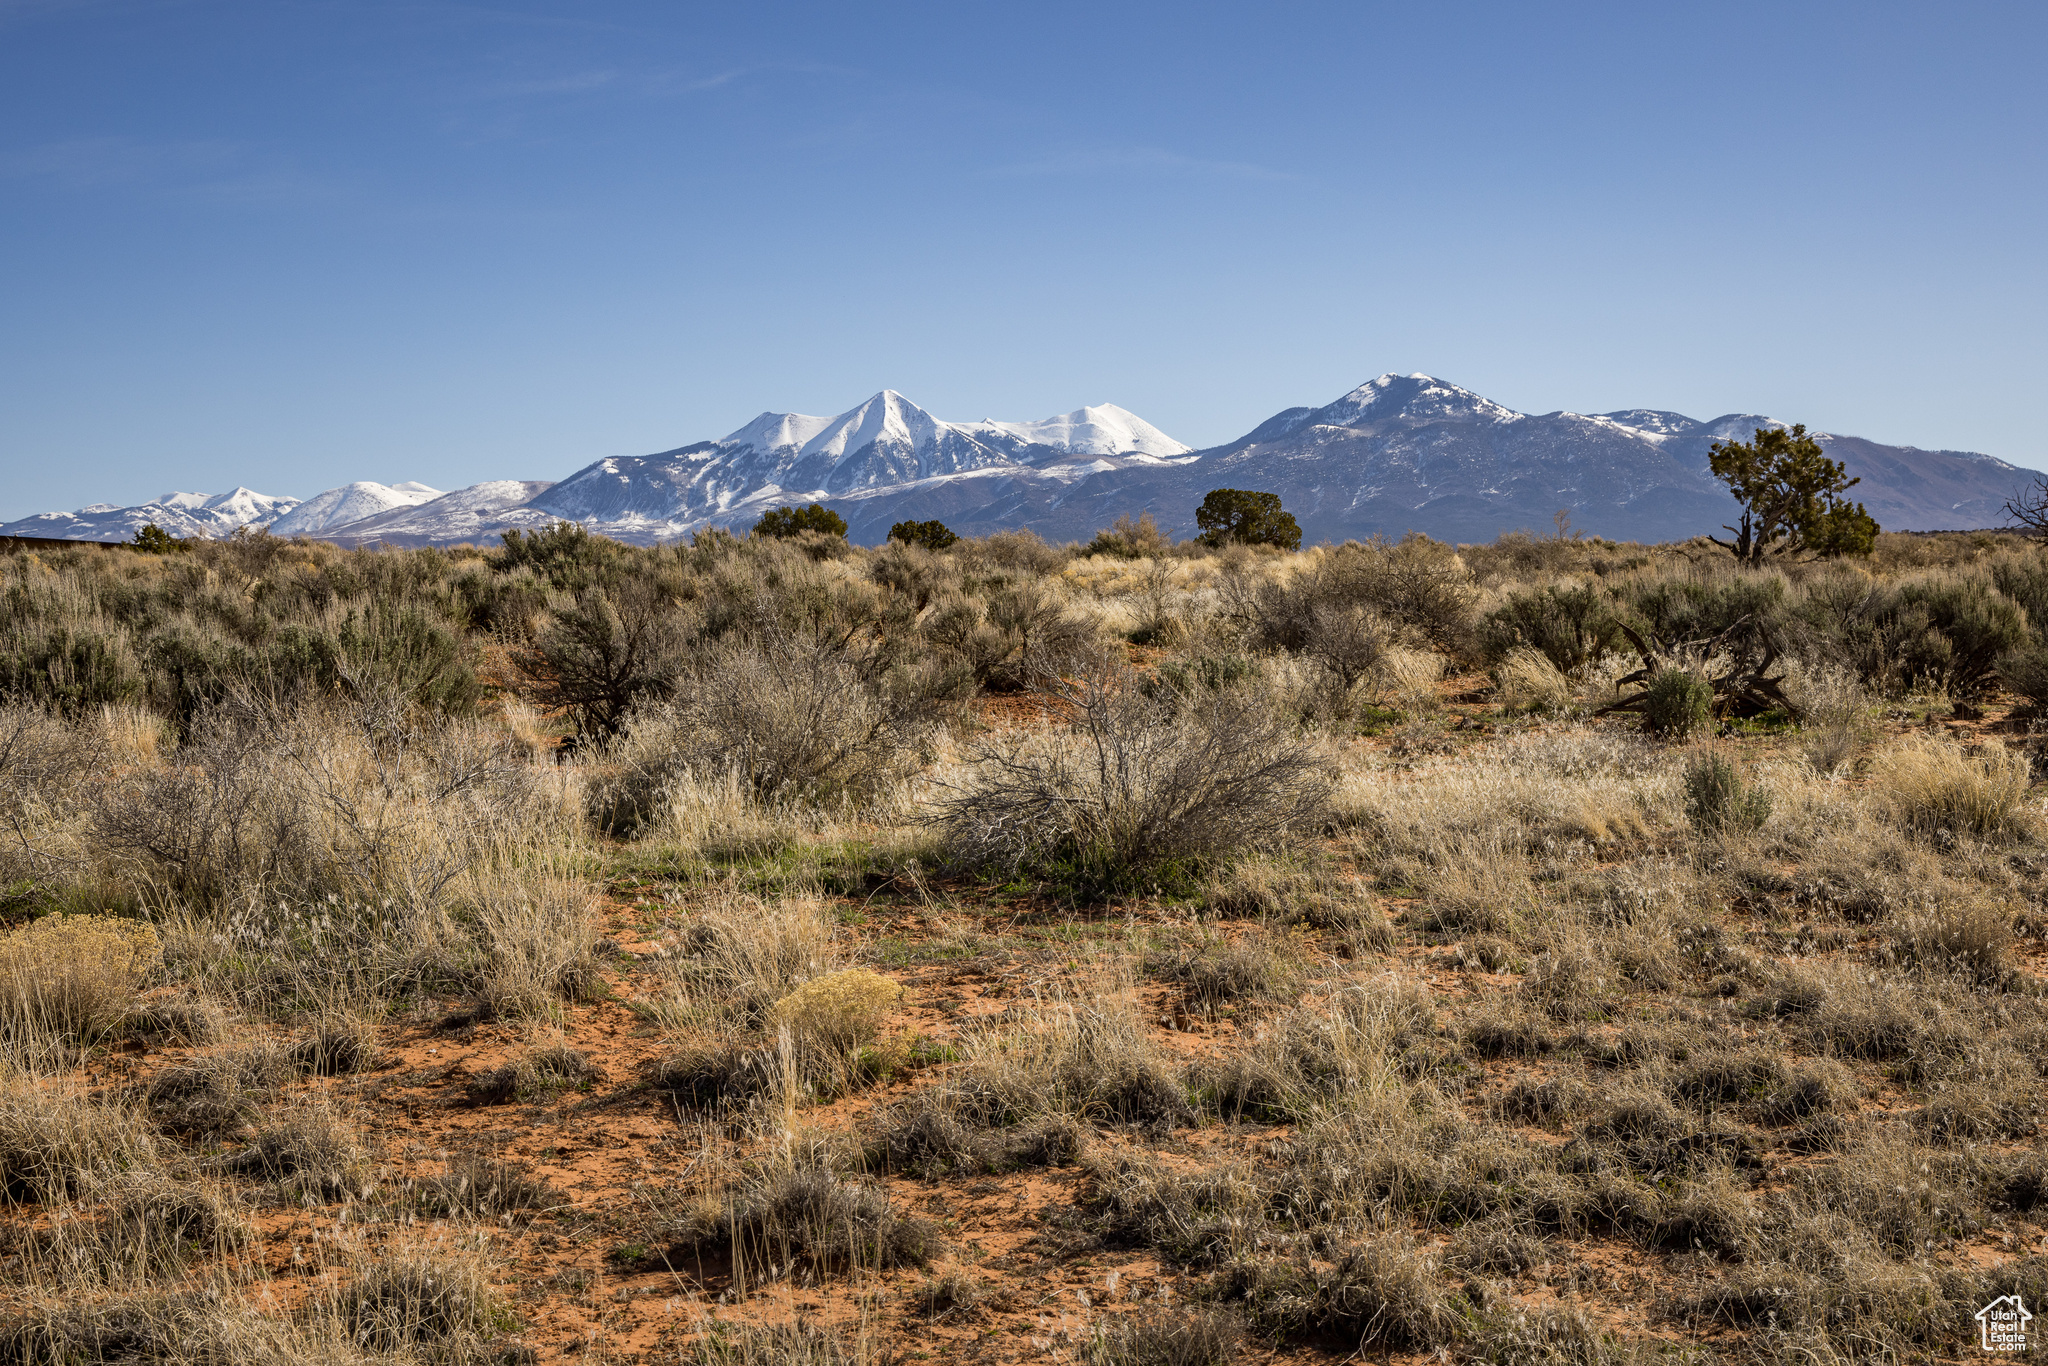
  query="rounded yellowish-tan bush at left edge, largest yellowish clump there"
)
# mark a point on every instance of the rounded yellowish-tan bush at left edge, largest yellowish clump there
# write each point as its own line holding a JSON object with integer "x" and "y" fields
{"x": 69, "y": 980}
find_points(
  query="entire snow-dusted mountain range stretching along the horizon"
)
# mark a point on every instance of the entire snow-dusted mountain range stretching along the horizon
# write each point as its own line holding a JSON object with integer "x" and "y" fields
{"x": 1394, "y": 456}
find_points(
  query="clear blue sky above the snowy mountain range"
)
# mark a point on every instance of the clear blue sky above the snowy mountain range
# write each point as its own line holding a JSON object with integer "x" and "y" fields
{"x": 300, "y": 243}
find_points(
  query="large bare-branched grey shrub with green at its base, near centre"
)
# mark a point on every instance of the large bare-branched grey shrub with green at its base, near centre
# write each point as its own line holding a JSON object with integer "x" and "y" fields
{"x": 1140, "y": 792}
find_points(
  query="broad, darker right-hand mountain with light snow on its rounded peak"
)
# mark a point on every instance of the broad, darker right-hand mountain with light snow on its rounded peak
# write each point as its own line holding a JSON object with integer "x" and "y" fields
{"x": 1418, "y": 454}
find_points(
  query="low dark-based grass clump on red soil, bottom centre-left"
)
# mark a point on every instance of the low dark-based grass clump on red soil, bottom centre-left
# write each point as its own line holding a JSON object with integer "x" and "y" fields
{"x": 804, "y": 1213}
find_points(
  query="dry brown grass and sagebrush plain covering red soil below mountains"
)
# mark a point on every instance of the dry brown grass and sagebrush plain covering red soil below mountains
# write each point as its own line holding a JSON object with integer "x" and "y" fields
{"x": 761, "y": 951}
